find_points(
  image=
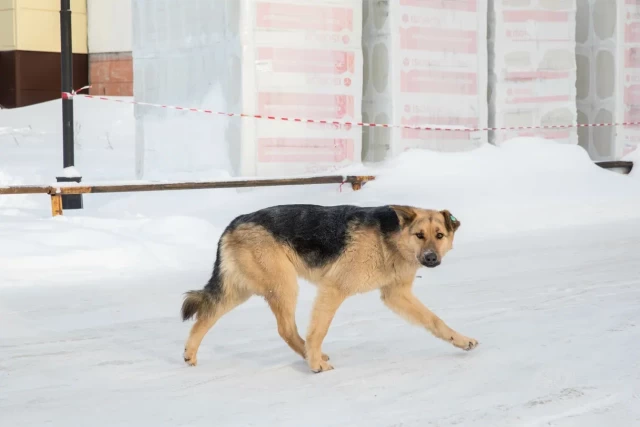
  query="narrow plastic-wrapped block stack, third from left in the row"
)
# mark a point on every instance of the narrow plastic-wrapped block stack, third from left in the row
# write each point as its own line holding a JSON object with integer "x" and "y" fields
{"x": 532, "y": 68}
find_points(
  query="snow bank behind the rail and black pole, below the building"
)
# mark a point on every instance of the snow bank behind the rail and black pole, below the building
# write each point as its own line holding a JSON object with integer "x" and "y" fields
{"x": 31, "y": 141}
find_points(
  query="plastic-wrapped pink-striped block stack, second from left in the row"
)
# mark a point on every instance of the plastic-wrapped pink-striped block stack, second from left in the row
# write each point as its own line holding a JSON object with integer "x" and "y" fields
{"x": 425, "y": 65}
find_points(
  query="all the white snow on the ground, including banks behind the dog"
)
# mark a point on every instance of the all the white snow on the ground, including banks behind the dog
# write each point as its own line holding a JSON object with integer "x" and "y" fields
{"x": 545, "y": 273}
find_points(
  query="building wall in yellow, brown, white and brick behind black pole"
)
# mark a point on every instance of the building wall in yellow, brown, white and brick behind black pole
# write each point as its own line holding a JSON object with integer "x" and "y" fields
{"x": 30, "y": 49}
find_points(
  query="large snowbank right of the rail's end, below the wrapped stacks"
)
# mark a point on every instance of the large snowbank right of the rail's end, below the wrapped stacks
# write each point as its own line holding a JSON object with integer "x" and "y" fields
{"x": 526, "y": 184}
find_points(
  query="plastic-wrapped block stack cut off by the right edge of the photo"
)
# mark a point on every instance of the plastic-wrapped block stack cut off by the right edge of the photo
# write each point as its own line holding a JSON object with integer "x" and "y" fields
{"x": 608, "y": 43}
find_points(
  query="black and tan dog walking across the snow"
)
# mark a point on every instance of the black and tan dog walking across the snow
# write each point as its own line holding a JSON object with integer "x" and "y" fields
{"x": 344, "y": 250}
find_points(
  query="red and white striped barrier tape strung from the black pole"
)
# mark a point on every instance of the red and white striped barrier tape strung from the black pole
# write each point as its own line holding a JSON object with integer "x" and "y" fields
{"x": 67, "y": 95}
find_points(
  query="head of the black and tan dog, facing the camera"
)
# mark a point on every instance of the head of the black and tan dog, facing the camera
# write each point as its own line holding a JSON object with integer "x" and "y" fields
{"x": 425, "y": 235}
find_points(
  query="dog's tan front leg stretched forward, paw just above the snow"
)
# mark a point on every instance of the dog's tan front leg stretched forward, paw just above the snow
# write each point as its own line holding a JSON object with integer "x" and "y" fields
{"x": 403, "y": 302}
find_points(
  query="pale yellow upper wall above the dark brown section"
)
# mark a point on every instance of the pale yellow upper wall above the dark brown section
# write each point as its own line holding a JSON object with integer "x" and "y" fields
{"x": 34, "y": 25}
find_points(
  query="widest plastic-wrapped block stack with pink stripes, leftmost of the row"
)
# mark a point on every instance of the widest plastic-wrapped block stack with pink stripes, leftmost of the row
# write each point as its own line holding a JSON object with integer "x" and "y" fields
{"x": 291, "y": 58}
